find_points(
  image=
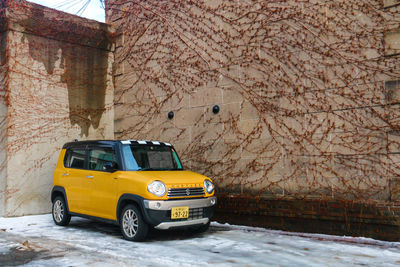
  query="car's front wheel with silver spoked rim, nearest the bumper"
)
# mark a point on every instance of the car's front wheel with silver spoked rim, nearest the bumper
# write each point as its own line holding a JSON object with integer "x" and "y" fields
{"x": 133, "y": 227}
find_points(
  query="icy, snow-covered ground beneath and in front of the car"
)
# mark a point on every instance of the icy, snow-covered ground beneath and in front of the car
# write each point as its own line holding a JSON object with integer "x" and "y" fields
{"x": 37, "y": 241}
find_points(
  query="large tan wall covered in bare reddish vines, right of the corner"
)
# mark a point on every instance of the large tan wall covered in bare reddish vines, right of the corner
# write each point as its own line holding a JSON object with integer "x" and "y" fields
{"x": 307, "y": 94}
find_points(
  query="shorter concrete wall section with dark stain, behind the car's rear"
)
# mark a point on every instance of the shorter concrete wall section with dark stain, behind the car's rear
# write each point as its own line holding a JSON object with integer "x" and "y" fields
{"x": 59, "y": 89}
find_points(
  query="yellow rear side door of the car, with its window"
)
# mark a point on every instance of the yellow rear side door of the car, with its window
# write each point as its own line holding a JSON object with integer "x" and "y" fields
{"x": 78, "y": 184}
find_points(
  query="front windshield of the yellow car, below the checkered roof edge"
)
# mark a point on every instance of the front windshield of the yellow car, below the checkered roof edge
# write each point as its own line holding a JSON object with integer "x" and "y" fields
{"x": 150, "y": 158}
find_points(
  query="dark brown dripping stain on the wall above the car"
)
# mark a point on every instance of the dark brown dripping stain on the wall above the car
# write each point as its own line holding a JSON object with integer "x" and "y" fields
{"x": 85, "y": 71}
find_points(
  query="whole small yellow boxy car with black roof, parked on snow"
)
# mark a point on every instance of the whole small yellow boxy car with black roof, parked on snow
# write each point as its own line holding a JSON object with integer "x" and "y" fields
{"x": 134, "y": 184}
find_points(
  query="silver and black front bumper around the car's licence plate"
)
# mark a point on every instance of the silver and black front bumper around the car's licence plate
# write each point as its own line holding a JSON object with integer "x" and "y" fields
{"x": 158, "y": 213}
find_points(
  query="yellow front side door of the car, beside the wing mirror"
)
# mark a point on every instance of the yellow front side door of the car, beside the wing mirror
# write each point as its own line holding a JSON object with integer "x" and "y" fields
{"x": 104, "y": 193}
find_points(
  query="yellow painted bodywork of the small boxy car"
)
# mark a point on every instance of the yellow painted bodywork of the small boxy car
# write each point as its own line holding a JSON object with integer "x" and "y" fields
{"x": 99, "y": 194}
